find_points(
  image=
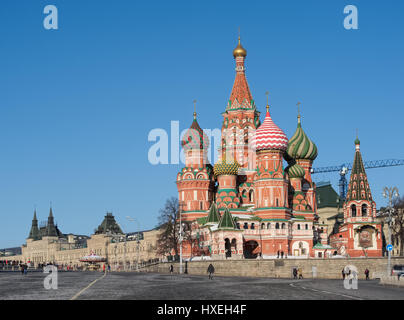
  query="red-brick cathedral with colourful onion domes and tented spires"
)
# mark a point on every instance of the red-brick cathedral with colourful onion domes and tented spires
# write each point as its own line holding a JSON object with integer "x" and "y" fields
{"x": 249, "y": 206}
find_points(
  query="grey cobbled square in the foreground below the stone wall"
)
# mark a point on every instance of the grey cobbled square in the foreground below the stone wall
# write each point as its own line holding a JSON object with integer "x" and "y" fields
{"x": 149, "y": 286}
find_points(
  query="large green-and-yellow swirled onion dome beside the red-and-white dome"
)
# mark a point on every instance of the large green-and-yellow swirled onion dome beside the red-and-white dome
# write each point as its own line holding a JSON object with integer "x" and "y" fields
{"x": 300, "y": 146}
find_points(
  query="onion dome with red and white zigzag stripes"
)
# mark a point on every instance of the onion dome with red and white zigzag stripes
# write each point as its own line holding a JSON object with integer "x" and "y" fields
{"x": 270, "y": 136}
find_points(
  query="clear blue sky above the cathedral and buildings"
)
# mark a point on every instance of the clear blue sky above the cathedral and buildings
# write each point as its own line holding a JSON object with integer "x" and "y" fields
{"x": 77, "y": 104}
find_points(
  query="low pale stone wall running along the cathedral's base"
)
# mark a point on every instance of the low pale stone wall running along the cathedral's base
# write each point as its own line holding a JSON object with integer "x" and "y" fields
{"x": 282, "y": 268}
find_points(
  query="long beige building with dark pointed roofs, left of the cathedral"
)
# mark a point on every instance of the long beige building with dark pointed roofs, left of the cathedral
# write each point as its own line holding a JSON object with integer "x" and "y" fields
{"x": 47, "y": 244}
